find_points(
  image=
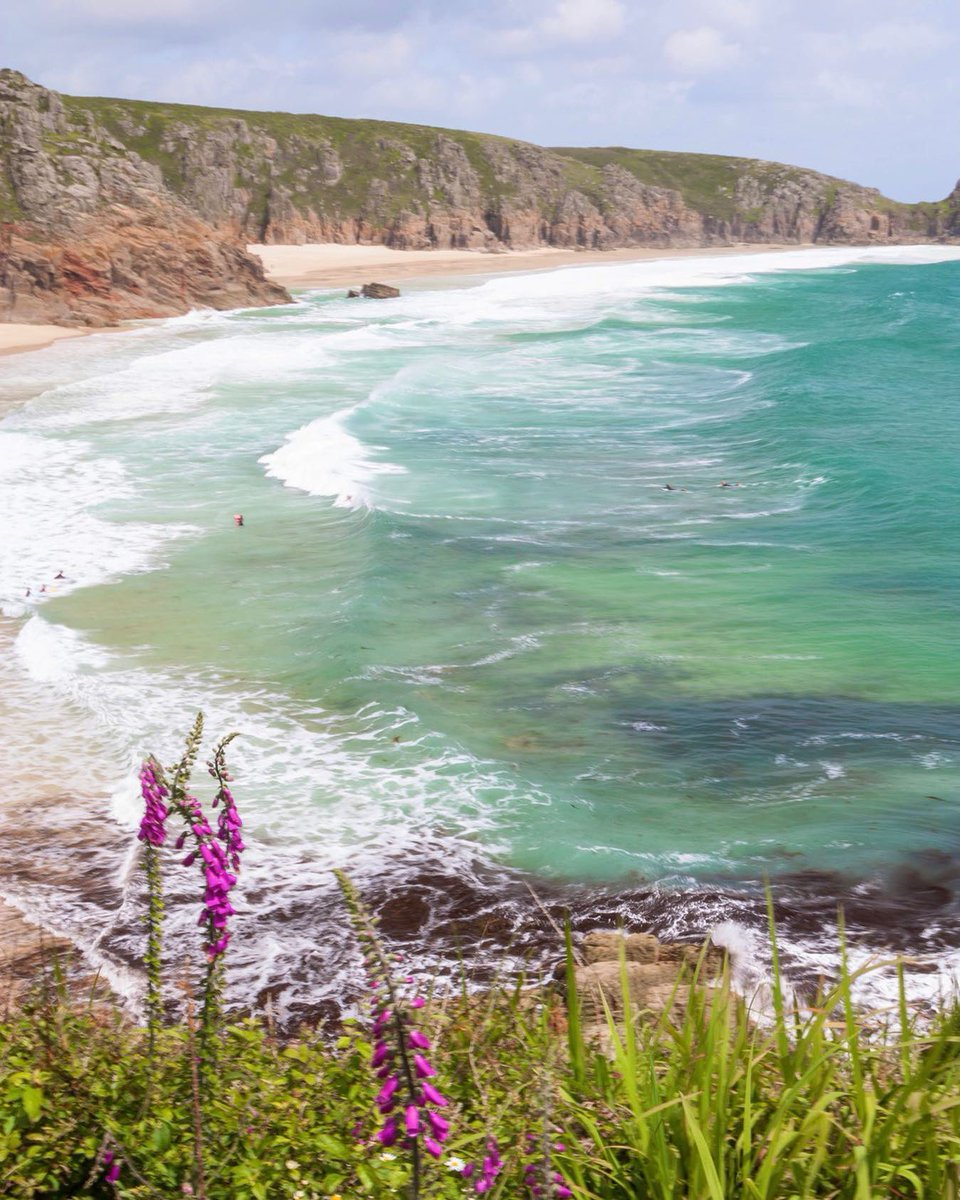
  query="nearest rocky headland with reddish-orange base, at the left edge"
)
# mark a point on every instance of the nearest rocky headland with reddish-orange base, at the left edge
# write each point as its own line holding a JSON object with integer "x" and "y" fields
{"x": 91, "y": 235}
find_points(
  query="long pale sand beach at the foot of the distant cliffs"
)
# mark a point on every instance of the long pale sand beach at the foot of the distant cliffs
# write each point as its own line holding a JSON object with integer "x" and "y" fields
{"x": 328, "y": 266}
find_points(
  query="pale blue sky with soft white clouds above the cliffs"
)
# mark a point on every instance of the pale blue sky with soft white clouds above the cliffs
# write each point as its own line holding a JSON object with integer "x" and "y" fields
{"x": 868, "y": 91}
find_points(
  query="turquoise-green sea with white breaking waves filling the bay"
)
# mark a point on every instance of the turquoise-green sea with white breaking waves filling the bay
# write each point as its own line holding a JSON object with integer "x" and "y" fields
{"x": 639, "y": 584}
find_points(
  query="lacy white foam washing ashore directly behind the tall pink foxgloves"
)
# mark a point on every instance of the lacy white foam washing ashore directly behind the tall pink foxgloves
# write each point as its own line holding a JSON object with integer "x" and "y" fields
{"x": 316, "y": 795}
